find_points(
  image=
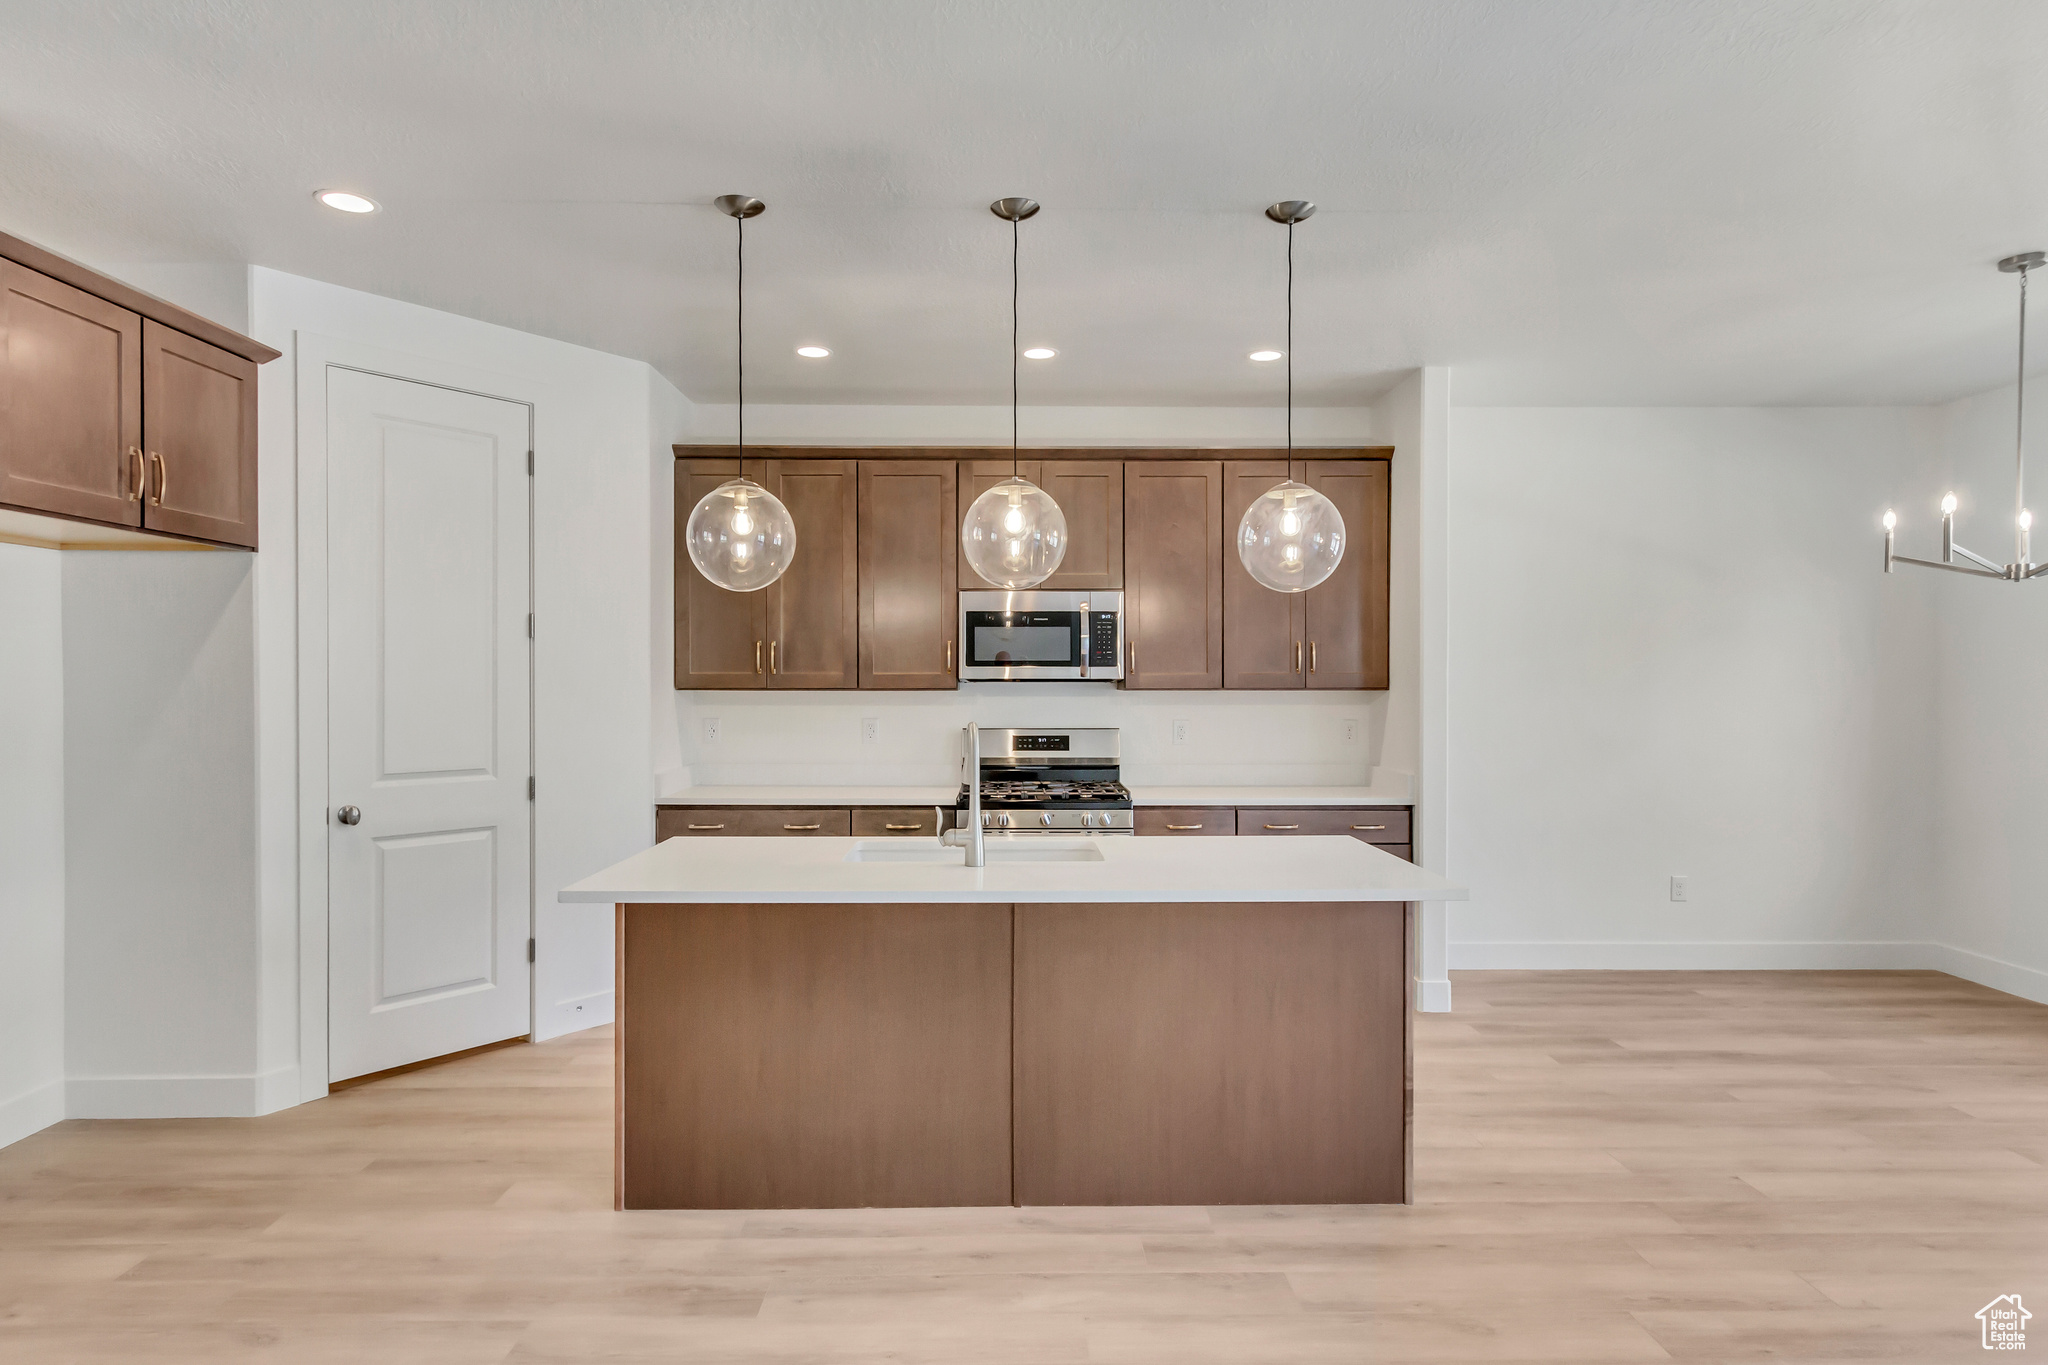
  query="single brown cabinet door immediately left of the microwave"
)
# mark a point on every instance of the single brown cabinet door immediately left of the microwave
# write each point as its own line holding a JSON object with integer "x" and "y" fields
{"x": 910, "y": 562}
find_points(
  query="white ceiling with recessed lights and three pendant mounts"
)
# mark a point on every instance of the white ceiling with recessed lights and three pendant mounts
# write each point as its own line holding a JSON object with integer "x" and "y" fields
{"x": 1674, "y": 202}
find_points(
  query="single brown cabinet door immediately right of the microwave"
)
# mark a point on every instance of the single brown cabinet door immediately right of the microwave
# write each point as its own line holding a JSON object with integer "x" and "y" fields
{"x": 1175, "y": 574}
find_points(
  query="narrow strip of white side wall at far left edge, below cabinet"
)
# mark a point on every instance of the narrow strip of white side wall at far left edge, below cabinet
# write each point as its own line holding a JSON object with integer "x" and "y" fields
{"x": 32, "y": 840}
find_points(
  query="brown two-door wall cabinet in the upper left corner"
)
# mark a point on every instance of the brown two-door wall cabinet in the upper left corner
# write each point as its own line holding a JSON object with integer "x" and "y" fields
{"x": 126, "y": 423}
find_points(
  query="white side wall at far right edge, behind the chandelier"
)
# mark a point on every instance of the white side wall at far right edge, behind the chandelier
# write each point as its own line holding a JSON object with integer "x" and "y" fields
{"x": 1994, "y": 705}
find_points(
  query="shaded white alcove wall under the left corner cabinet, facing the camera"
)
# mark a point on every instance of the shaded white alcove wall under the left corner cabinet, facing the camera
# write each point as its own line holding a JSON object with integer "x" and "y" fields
{"x": 161, "y": 852}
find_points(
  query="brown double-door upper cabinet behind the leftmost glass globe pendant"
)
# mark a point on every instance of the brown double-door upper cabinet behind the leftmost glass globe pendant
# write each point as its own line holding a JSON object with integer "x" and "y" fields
{"x": 800, "y": 631}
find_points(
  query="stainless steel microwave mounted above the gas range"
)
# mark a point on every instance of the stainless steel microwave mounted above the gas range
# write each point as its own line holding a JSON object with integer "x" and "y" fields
{"x": 1041, "y": 635}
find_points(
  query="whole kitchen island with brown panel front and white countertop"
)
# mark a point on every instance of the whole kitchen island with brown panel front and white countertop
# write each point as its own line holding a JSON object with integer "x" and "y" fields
{"x": 869, "y": 1022}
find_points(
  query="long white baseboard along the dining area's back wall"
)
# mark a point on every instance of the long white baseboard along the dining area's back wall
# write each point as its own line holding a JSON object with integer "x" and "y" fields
{"x": 1697, "y": 957}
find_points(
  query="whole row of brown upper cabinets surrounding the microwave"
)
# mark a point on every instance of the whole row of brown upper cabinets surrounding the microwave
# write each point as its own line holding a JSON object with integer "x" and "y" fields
{"x": 880, "y": 603}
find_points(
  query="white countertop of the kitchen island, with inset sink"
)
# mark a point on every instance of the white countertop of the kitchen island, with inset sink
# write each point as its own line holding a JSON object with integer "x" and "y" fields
{"x": 1191, "y": 869}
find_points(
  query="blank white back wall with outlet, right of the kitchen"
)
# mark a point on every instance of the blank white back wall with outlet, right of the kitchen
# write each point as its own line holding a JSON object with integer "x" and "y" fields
{"x": 1674, "y": 654}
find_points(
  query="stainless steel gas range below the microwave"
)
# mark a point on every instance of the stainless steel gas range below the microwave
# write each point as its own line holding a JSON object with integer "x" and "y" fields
{"x": 1052, "y": 783}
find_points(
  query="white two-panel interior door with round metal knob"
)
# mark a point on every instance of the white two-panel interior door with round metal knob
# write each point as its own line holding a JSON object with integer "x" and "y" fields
{"x": 429, "y": 723}
